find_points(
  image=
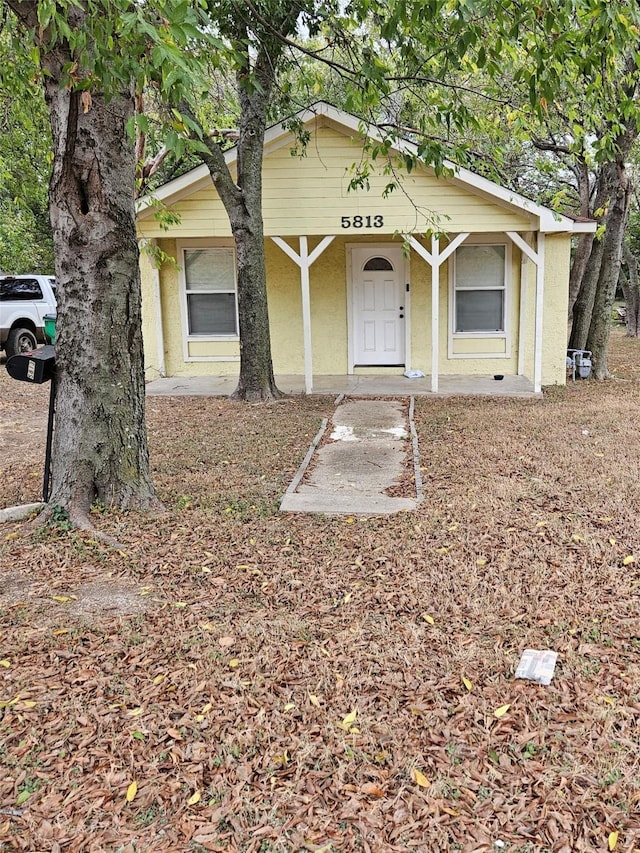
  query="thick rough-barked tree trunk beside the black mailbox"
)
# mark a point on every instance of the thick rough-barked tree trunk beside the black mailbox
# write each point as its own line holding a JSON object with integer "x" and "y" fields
{"x": 100, "y": 447}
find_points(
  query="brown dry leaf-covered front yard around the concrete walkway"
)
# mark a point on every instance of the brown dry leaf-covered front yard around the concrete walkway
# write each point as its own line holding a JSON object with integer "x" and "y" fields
{"x": 238, "y": 680}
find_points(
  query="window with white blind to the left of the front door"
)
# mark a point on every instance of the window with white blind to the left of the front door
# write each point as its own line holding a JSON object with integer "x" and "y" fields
{"x": 210, "y": 283}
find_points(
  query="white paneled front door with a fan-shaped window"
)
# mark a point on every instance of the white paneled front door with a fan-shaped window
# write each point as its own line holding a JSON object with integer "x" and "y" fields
{"x": 378, "y": 306}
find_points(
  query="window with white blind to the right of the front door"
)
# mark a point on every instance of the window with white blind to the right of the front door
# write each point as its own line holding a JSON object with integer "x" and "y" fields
{"x": 479, "y": 289}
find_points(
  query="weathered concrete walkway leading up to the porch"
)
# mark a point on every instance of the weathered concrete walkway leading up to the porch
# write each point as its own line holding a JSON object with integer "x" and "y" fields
{"x": 370, "y": 443}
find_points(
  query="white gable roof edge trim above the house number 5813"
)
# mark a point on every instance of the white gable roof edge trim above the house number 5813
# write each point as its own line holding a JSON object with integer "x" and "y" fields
{"x": 277, "y": 135}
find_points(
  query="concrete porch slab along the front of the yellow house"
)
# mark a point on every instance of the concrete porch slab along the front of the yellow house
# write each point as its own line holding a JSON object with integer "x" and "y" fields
{"x": 353, "y": 385}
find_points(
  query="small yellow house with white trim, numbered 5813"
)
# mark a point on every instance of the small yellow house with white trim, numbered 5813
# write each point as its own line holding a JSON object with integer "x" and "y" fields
{"x": 444, "y": 275}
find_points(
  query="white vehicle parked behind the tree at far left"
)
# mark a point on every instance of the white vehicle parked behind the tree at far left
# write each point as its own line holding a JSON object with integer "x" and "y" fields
{"x": 24, "y": 300}
